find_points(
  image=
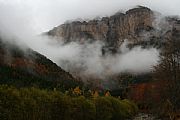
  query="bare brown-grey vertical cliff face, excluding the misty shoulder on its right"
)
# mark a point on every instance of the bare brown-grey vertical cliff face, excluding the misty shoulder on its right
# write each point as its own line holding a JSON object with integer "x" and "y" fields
{"x": 113, "y": 29}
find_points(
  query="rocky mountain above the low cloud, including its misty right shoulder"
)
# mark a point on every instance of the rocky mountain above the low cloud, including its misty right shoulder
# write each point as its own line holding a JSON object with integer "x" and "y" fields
{"x": 140, "y": 26}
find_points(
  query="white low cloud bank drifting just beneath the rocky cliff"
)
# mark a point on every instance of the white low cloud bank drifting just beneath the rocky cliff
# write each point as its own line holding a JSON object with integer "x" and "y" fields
{"x": 87, "y": 59}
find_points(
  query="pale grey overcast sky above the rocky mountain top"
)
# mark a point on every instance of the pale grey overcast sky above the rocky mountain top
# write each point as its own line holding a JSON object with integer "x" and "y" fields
{"x": 42, "y": 15}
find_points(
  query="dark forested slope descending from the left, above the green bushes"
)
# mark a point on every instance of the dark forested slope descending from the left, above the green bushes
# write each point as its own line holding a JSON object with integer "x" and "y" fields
{"x": 26, "y": 68}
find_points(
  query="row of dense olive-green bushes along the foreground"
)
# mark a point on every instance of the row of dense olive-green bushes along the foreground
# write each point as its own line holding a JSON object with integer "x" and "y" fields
{"x": 36, "y": 104}
